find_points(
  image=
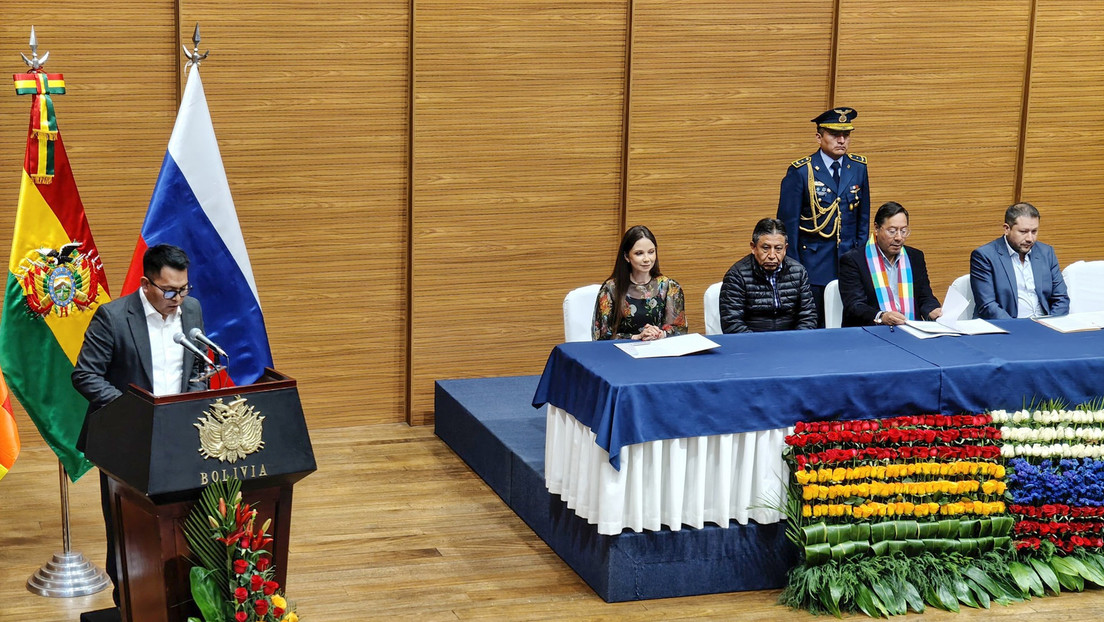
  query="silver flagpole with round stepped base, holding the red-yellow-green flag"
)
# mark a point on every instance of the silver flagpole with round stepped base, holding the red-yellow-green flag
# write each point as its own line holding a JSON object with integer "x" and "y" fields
{"x": 68, "y": 574}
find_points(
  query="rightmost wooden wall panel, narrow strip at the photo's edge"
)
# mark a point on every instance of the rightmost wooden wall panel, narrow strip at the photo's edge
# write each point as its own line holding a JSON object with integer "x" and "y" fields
{"x": 1064, "y": 170}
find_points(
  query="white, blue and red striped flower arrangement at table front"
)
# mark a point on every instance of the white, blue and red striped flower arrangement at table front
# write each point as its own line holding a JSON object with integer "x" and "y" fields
{"x": 1056, "y": 484}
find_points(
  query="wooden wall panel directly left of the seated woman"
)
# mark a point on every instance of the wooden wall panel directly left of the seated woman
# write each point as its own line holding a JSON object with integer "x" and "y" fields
{"x": 516, "y": 180}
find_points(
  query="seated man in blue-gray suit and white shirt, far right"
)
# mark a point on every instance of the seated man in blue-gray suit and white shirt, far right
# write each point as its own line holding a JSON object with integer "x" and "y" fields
{"x": 1015, "y": 276}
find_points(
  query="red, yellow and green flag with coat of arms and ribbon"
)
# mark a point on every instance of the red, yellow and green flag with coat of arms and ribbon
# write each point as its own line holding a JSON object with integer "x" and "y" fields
{"x": 56, "y": 281}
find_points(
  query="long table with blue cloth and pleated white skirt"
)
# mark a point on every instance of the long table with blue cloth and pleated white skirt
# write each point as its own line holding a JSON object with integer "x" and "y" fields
{"x": 645, "y": 444}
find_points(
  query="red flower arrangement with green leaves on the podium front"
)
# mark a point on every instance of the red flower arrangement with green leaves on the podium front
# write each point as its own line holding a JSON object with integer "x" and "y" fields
{"x": 235, "y": 578}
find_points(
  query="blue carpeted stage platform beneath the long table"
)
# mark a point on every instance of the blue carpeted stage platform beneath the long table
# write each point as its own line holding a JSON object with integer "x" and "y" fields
{"x": 493, "y": 426}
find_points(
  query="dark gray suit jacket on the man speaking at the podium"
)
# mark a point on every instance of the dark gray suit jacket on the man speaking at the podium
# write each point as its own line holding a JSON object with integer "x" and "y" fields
{"x": 116, "y": 353}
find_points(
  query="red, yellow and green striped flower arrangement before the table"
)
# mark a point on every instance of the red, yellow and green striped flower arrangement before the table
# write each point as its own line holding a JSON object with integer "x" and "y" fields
{"x": 893, "y": 514}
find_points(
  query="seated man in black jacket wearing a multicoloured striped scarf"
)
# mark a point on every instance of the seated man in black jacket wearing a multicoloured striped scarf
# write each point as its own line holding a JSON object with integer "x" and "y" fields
{"x": 887, "y": 282}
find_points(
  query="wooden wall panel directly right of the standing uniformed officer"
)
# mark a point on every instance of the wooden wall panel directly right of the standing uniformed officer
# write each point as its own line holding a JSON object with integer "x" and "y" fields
{"x": 939, "y": 88}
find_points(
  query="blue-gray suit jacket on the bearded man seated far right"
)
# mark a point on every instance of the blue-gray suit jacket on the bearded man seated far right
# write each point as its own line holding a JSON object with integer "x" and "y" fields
{"x": 993, "y": 280}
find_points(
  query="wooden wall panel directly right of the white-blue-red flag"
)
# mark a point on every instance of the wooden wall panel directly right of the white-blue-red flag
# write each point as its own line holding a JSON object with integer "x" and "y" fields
{"x": 310, "y": 103}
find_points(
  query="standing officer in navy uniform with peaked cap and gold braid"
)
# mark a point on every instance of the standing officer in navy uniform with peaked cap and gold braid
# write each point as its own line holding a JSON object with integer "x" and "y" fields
{"x": 825, "y": 201}
